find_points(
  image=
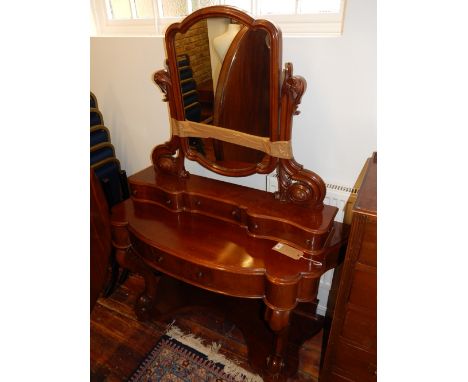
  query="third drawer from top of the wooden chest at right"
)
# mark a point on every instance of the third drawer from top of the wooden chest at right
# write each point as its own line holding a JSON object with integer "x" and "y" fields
{"x": 361, "y": 328}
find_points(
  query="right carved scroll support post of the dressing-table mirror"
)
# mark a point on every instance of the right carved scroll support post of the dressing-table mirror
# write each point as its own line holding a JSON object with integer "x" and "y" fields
{"x": 295, "y": 184}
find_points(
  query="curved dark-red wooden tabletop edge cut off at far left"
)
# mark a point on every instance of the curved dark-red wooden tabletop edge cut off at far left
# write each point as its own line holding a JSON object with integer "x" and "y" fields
{"x": 100, "y": 238}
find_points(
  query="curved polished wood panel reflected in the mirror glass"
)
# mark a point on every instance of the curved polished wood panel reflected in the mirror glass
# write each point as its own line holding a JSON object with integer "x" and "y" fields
{"x": 242, "y": 100}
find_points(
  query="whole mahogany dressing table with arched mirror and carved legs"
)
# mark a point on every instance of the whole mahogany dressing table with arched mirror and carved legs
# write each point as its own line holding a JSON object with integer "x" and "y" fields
{"x": 216, "y": 235}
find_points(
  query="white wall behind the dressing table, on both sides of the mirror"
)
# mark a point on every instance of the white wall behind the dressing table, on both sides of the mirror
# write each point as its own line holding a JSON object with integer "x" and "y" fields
{"x": 333, "y": 135}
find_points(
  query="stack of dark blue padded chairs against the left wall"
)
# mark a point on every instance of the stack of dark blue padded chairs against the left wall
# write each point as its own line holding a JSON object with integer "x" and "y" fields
{"x": 112, "y": 178}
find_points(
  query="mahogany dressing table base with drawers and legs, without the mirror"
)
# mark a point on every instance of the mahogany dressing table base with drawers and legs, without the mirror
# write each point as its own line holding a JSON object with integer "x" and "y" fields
{"x": 185, "y": 228}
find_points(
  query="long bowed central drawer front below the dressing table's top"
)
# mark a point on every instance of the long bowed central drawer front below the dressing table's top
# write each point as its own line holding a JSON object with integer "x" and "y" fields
{"x": 233, "y": 284}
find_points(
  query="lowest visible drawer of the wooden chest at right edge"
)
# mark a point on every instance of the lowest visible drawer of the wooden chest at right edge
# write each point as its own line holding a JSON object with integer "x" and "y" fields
{"x": 354, "y": 363}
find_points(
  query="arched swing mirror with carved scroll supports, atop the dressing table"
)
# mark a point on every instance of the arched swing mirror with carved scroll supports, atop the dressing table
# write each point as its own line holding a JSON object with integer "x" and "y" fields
{"x": 247, "y": 128}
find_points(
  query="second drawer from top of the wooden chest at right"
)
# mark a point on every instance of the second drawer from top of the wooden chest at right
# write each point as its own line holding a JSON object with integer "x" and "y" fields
{"x": 363, "y": 289}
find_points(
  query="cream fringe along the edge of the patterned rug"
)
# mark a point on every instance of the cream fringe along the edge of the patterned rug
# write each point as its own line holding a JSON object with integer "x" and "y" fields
{"x": 212, "y": 352}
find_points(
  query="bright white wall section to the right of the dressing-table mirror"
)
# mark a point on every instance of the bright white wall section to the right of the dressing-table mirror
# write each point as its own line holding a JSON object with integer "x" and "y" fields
{"x": 336, "y": 130}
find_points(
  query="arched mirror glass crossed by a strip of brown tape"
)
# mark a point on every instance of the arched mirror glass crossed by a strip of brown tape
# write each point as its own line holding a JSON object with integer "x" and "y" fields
{"x": 224, "y": 74}
